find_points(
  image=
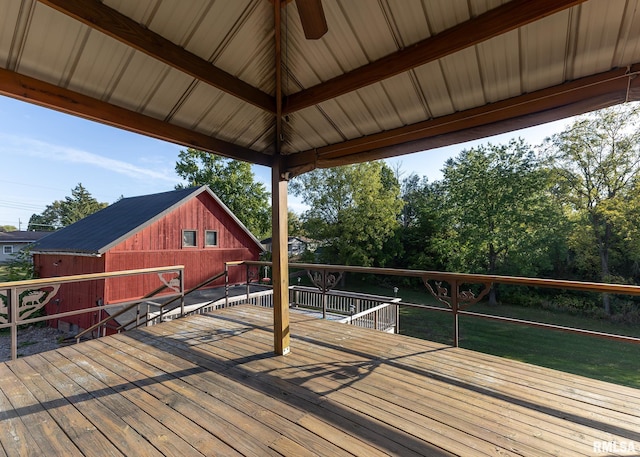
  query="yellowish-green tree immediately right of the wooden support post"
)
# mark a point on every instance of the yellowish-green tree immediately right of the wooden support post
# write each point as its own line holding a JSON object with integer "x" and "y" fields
{"x": 353, "y": 210}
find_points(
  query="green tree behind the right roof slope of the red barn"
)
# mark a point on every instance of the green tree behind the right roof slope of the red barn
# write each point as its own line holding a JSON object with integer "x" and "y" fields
{"x": 233, "y": 182}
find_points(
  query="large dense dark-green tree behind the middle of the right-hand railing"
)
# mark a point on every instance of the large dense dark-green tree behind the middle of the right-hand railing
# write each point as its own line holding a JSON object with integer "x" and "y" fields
{"x": 500, "y": 212}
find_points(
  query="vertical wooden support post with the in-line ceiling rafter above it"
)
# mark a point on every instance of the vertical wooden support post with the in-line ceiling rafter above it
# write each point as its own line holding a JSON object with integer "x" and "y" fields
{"x": 279, "y": 213}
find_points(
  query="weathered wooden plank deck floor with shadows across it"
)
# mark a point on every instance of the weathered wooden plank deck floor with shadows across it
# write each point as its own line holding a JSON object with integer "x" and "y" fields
{"x": 210, "y": 385}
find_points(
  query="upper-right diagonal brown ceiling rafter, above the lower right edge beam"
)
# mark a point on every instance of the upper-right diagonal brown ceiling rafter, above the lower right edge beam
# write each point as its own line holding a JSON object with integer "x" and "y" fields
{"x": 497, "y": 21}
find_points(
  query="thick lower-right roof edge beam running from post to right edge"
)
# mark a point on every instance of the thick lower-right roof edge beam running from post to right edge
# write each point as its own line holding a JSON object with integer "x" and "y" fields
{"x": 546, "y": 105}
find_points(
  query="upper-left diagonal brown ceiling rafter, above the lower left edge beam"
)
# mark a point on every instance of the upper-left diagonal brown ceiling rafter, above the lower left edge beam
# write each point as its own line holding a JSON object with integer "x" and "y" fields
{"x": 110, "y": 22}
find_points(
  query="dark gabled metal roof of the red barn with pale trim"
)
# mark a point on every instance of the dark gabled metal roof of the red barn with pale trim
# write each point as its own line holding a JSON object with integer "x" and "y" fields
{"x": 99, "y": 232}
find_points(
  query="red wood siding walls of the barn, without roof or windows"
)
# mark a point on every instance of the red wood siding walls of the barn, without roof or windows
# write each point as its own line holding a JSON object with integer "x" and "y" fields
{"x": 157, "y": 245}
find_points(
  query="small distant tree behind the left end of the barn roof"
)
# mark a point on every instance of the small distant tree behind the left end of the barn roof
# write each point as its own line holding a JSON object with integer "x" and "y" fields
{"x": 65, "y": 212}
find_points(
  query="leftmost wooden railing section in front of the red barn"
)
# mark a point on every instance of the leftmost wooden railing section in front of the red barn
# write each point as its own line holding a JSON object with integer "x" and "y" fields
{"x": 21, "y": 301}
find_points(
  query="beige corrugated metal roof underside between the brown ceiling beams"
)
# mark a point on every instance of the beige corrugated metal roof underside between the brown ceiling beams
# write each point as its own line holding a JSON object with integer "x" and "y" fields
{"x": 237, "y": 37}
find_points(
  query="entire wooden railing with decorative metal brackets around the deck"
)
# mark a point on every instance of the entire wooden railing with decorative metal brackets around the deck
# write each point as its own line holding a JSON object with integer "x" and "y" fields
{"x": 20, "y": 300}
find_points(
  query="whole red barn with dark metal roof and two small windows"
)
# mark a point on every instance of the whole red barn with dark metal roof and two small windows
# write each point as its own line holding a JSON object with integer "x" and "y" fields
{"x": 189, "y": 227}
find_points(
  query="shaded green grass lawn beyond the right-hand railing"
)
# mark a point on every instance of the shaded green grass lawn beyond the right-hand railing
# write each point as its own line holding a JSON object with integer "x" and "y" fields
{"x": 587, "y": 356}
